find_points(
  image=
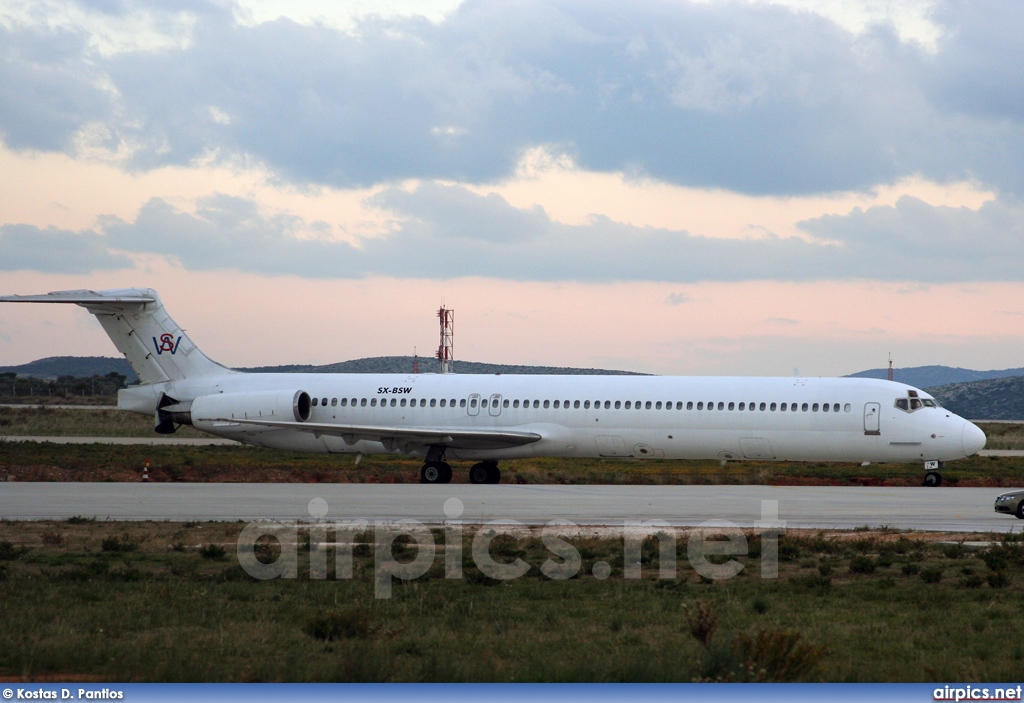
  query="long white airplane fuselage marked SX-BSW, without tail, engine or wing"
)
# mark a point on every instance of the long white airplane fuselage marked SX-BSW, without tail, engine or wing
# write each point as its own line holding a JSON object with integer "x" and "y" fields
{"x": 691, "y": 418}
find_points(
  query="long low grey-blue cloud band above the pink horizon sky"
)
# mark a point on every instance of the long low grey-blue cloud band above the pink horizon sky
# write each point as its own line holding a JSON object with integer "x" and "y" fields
{"x": 450, "y": 232}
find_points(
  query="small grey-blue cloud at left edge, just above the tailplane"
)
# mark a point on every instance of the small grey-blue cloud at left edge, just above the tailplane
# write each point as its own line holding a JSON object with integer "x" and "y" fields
{"x": 25, "y": 248}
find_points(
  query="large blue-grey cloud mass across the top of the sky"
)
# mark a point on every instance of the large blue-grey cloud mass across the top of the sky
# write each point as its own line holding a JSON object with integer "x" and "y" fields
{"x": 752, "y": 98}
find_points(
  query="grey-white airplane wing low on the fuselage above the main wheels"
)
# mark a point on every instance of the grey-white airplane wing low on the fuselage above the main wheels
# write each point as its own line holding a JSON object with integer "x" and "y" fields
{"x": 402, "y": 437}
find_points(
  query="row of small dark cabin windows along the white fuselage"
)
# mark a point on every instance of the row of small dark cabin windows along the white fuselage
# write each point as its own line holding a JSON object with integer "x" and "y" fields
{"x": 587, "y": 405}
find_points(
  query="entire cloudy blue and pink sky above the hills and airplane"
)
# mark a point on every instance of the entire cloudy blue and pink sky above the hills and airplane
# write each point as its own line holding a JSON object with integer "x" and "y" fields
{"x": 748, "y": 188}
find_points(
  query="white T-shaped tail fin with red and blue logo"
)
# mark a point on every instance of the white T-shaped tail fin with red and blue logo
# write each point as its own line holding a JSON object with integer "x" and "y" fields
{"x": 136, "y": 321}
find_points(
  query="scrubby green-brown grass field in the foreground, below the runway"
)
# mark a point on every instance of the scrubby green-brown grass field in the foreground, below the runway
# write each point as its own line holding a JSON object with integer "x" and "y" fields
{"x": 129, "y": 602}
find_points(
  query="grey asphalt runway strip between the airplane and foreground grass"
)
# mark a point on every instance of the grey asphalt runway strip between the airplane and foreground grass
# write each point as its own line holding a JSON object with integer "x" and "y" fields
{"x": 954, "y": 510}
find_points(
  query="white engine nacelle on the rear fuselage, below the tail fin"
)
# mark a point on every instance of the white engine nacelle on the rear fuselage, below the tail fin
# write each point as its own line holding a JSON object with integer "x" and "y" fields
{"x": 209, "y": 412}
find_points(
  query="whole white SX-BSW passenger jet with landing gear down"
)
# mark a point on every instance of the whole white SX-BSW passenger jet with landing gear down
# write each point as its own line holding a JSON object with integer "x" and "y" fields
{"x": 489, "y": 418}
